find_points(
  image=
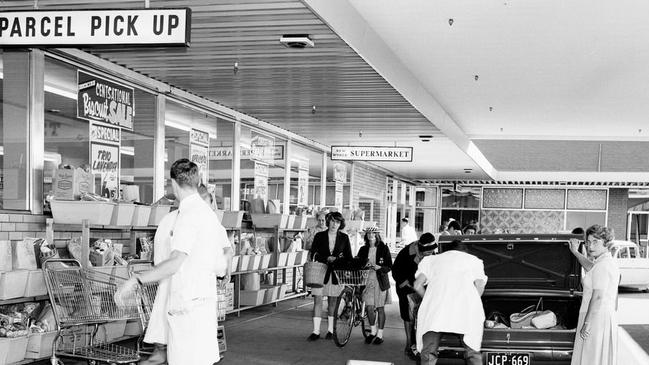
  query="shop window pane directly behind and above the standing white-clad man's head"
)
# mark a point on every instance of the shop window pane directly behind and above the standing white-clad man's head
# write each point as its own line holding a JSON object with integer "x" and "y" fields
{"x": 188, "y": 134}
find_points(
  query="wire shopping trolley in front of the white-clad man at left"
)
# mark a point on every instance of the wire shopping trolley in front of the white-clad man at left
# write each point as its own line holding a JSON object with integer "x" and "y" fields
{"x": 82, "y": 299}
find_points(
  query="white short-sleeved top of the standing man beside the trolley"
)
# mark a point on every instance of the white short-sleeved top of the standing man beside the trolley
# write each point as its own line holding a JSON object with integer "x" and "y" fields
{"x": 199, "y": 234}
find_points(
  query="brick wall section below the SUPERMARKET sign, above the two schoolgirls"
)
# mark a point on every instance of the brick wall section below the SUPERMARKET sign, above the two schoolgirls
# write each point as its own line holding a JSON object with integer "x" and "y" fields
{"x": 370, "y": 183}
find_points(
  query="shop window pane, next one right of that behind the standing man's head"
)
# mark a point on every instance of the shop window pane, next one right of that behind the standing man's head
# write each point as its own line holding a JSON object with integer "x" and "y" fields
{"x": 262, "y": 171}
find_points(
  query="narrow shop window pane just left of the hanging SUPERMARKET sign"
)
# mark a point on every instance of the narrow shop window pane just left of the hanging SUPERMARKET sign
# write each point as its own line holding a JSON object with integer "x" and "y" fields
{"x": 306, "y": 170}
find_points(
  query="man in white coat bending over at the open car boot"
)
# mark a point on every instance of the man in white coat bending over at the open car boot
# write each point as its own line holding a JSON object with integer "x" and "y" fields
{"x": 451, "y": 285}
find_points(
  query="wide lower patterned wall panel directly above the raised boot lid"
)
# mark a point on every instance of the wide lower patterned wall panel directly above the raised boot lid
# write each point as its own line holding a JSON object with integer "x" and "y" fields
{"x": 521, "y": 221}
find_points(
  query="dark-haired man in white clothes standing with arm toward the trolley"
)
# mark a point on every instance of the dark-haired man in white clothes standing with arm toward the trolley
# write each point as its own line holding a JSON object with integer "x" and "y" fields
{"x": 196, "y": 259}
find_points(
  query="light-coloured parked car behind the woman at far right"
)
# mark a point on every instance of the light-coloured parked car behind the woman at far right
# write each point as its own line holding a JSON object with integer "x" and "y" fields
{"x": 633, "y": 264}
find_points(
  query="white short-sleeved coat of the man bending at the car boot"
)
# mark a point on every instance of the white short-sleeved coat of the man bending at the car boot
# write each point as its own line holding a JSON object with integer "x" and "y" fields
{"x": 452, "y": 302}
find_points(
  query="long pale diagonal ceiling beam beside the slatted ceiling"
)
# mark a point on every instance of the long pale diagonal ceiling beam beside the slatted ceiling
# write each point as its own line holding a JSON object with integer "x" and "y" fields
{"x": 343, "y": 19}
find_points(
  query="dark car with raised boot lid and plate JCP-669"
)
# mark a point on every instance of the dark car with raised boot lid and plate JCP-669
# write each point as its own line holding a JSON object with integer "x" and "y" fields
{"x": 523, "y": 269}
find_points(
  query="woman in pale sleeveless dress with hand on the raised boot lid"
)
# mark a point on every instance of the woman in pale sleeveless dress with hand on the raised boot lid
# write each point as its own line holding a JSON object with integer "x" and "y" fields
{"x": 596, "y": 339}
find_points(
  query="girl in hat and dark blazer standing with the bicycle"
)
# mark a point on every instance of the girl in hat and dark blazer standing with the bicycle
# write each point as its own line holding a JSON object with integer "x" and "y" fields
{"x": 378, "y": 255}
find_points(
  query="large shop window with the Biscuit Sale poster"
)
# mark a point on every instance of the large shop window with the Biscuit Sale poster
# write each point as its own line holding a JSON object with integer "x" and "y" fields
{"x": 102, "y": 126}
